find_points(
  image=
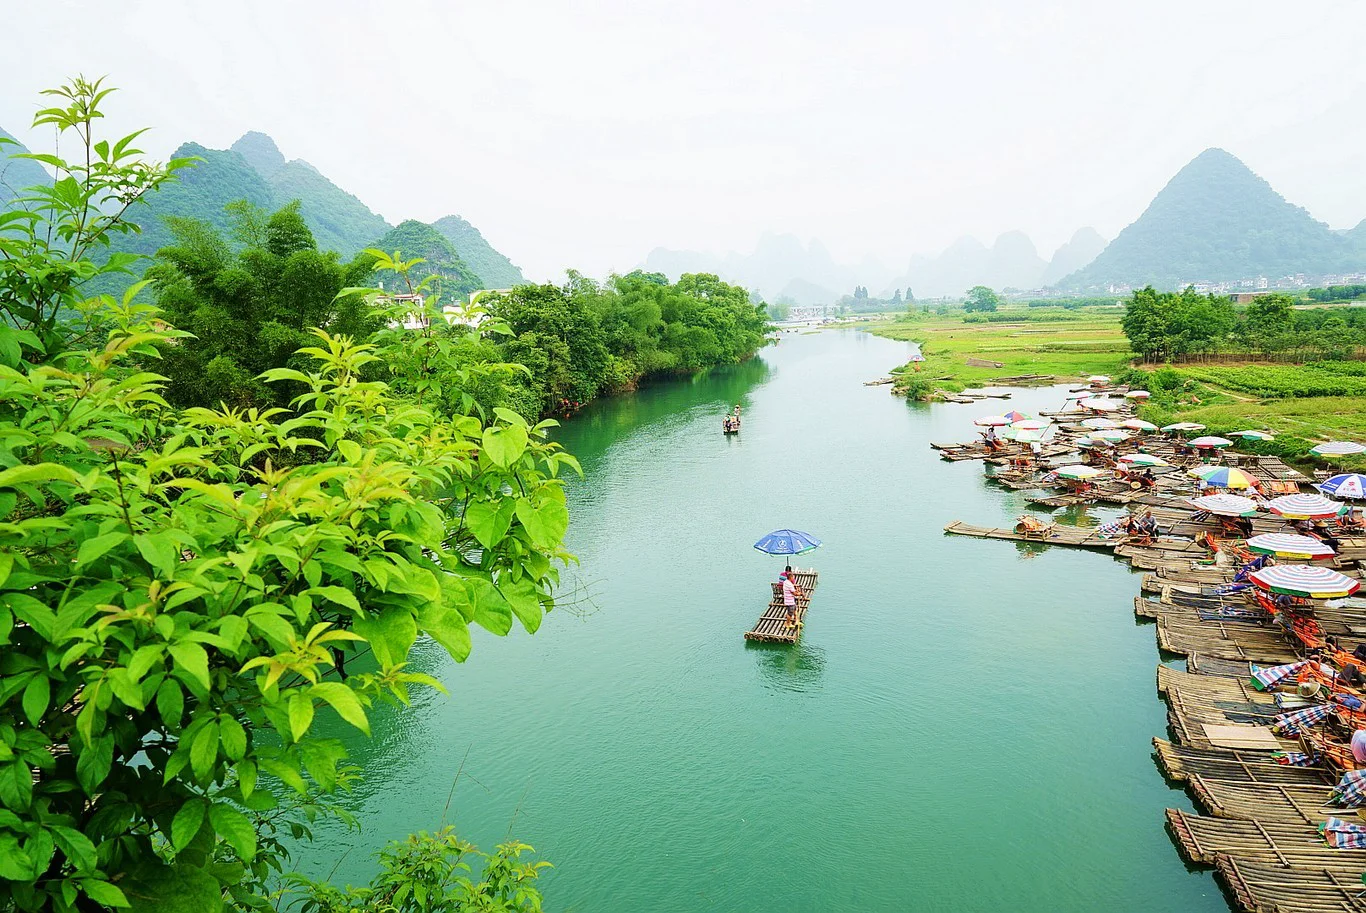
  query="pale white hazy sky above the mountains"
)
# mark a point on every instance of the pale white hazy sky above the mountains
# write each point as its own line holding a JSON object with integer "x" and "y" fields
{"x": 584, "y": 135}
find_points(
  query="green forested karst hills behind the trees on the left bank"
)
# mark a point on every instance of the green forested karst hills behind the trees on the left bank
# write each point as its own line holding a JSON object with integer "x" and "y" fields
{"x": 255, "y": 170}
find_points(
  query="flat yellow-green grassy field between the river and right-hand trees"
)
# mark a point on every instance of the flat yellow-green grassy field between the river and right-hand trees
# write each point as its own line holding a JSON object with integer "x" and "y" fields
{"x": 1022, "y": 341}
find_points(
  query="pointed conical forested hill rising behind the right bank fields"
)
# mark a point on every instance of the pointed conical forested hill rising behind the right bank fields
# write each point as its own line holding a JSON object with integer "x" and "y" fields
{"x": 1216, "y": 221}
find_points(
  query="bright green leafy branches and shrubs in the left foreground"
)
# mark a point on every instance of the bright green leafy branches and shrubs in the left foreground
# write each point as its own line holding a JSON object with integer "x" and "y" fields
{"x": 185, "y": 595}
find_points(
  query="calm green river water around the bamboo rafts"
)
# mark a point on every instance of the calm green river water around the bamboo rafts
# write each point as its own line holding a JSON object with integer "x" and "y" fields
{"x": 965, "y": 726}
